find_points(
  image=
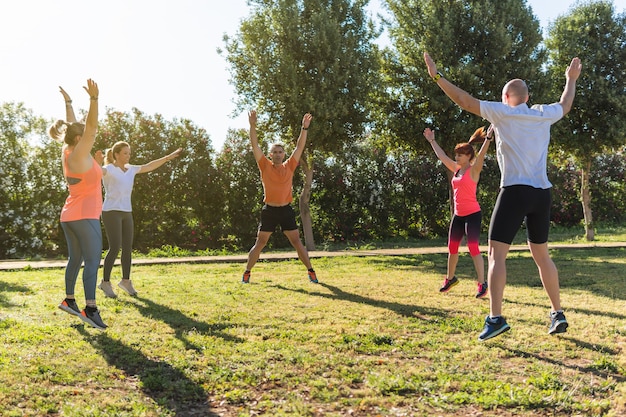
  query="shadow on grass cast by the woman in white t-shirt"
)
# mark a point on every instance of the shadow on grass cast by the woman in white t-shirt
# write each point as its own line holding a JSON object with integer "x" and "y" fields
{"x": 181, "y": 323}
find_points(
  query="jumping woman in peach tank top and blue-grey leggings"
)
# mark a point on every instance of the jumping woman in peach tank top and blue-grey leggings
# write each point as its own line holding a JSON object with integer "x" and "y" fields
{"x": 80, "y": 216}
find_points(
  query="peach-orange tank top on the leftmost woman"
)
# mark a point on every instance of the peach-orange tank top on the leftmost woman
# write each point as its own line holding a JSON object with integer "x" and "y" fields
{"x": 85, "y": 199}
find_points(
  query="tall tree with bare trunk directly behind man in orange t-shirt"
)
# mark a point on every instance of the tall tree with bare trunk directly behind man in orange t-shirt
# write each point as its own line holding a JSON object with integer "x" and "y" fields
{"x": 296, "y": 56}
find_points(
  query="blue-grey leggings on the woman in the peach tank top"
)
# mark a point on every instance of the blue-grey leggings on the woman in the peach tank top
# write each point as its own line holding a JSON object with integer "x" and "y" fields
{"x": 84, "y": 243}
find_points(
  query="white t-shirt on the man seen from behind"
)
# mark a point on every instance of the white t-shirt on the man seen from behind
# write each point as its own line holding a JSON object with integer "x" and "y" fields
{"x": 522, "y": 139}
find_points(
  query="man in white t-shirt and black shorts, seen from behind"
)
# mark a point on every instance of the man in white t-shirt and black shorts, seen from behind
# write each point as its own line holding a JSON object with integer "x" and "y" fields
{"x": 522, "y": 138}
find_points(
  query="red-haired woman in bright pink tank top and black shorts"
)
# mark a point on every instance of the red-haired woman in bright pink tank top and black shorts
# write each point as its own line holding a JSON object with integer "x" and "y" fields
{"x": 466, "y": 220}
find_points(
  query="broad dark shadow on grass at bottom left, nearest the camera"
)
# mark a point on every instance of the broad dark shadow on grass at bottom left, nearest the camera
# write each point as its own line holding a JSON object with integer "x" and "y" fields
{"x": 165, "y": 384}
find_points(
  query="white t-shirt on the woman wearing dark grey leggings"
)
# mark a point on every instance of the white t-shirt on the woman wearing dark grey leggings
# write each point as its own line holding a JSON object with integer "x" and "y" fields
{"x": 118, "y": 187}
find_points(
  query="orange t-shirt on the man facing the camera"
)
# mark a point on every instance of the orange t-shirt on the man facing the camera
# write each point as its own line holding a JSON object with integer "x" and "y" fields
{"x": 277, "y": 181}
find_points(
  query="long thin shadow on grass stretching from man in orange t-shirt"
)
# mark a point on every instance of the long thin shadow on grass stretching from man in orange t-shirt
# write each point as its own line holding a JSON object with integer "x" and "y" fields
{"x": 406, "y": 310}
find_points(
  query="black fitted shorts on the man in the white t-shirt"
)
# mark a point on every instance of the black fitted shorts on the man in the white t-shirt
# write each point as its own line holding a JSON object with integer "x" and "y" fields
{"x": 515, "y": 204}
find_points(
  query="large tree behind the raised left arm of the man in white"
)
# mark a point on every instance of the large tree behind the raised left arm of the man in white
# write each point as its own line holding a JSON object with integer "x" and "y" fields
{"x": 479, "y": 44}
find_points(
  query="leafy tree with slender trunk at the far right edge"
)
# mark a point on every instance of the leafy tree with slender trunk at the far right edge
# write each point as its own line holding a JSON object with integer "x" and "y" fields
{"x": 597, "y": 123}
